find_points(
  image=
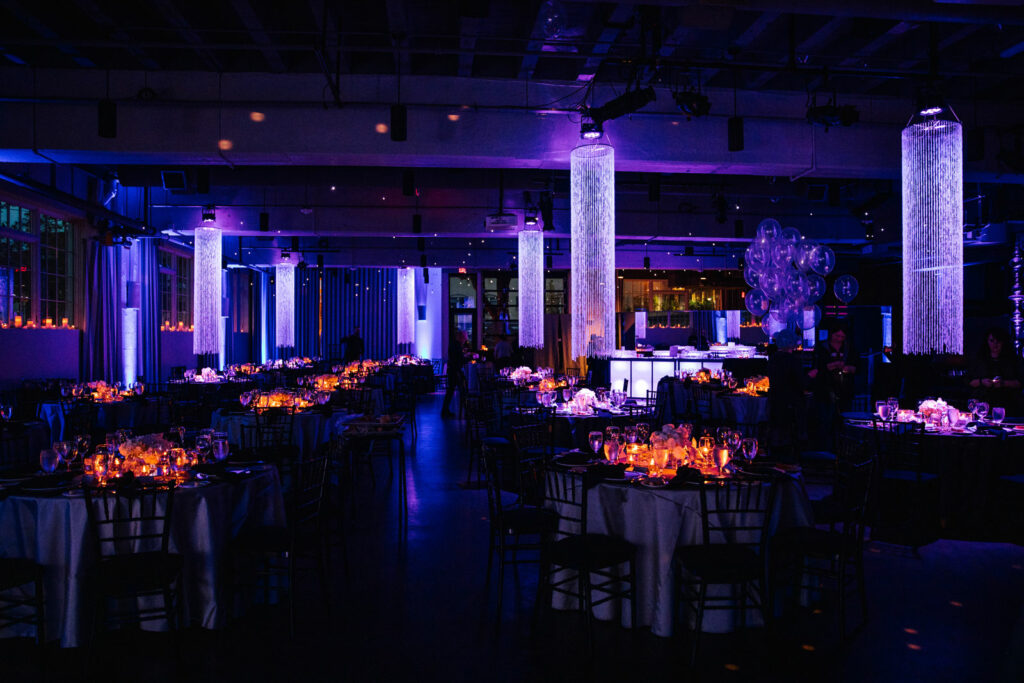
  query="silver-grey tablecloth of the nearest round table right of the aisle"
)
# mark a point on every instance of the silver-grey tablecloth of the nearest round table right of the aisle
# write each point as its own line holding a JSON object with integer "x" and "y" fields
{"x": 658, "y": 522}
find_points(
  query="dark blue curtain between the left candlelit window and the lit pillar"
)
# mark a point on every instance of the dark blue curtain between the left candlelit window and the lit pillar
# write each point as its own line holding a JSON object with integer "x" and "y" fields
{"x": 102, "y": 354}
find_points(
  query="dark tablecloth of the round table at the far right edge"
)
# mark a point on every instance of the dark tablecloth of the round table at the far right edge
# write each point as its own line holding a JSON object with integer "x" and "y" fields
{"x": 968, "y": 466}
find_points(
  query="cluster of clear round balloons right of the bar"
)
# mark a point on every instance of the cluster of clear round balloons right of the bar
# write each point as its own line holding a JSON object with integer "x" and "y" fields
{"x": 788, "y": 274}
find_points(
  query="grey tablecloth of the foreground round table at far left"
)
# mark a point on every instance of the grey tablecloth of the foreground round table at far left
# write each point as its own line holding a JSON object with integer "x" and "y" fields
{"x": 53, "y": 531}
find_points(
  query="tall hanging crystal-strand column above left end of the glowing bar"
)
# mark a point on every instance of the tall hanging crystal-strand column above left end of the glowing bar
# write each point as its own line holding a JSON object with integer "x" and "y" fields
{"x": 593, "y": 244}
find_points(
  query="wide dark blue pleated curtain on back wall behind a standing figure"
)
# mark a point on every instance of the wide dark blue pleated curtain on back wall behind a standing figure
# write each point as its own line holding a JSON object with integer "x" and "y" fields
{"x": 353, "y": 297}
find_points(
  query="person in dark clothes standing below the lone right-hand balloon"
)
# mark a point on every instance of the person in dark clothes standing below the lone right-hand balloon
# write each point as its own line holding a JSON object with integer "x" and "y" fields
{"x": 832, "y": 380}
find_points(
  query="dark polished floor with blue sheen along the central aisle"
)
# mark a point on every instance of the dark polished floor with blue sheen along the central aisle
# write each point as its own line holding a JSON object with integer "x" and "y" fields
{"x": 415, "y": 606}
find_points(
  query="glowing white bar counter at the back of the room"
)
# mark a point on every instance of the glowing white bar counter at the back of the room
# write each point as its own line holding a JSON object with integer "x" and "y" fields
{"x": 645, "y": 372}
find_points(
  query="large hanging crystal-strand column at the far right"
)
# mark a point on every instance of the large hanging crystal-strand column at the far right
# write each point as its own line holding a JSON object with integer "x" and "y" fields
{"x": 933, "y": 235}
